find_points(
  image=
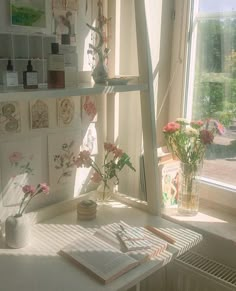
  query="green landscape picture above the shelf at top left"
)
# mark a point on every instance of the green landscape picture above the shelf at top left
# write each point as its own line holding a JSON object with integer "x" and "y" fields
{"x": 29, "y": 13}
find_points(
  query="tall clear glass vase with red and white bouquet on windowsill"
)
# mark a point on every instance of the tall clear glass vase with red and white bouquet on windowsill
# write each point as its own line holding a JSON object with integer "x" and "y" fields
{"x": 188, "y": 142}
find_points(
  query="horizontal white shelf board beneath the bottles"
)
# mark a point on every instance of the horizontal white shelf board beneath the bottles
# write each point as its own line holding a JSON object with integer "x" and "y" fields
{"x": 82, "y": 89}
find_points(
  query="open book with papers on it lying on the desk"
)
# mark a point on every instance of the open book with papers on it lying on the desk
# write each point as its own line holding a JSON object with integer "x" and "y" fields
{"x": 113, "y": 250}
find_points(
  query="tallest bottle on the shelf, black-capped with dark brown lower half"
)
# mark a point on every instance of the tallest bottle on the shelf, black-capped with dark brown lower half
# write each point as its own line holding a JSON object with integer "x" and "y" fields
{"x": 56, "y": 68}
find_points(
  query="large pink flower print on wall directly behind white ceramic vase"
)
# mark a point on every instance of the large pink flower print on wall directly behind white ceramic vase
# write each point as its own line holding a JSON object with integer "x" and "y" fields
{"x": 22, "y": 165}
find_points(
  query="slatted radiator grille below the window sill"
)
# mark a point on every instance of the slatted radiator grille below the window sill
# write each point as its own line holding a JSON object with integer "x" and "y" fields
{"x": 218, "y": 273}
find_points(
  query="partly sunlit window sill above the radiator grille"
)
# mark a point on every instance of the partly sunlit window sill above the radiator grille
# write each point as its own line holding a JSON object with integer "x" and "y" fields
{"x": 218, "y": 228}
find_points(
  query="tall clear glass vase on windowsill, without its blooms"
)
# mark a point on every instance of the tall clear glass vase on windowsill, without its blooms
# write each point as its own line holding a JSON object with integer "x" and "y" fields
{"x": 188, "y": 192}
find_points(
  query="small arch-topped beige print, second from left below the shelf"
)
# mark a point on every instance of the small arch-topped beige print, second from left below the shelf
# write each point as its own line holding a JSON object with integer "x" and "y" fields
{"x": 39, "y": 114}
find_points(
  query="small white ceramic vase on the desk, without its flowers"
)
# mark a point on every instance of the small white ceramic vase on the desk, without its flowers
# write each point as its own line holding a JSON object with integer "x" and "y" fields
{"x": 17, "y": 231}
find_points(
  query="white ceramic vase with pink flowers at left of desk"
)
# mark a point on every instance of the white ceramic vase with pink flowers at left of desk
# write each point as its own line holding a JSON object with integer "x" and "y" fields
{"x": 17, "y": 227}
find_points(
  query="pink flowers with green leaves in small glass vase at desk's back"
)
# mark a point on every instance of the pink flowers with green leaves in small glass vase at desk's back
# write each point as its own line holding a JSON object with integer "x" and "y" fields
{"x": 106, "y": 175}
